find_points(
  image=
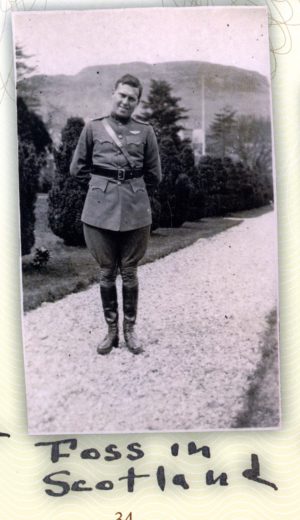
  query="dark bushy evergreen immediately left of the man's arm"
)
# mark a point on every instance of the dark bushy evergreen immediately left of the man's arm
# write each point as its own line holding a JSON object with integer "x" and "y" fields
{"x": 67, "y": 195}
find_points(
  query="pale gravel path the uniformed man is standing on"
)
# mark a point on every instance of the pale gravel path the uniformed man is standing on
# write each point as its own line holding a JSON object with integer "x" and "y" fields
{"x": 202, "y": 316}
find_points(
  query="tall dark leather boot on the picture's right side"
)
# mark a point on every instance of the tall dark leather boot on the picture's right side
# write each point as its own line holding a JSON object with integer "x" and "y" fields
{"x": 130, "y": 301}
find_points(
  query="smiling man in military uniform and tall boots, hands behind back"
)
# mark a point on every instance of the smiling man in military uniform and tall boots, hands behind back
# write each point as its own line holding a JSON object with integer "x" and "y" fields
{"x": 118, "y": 151}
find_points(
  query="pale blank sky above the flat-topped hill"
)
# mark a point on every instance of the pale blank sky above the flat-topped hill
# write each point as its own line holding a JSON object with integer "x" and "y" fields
{"x": 64, "y": 42}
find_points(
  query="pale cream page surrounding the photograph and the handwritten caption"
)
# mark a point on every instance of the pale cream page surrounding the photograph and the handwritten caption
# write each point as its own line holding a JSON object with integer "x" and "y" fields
{"x": 23, "y": 466}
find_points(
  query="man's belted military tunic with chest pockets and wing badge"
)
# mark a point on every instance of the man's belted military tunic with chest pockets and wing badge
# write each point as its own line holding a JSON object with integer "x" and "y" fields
{"x": 112, "y": 204}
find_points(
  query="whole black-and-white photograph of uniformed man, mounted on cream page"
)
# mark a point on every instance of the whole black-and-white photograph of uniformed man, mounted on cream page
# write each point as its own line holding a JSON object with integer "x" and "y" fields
{"x": 148, "y": 231}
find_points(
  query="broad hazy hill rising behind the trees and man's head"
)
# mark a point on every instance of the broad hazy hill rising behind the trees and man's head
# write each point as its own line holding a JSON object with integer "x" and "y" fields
{"x": 87, "y": 94}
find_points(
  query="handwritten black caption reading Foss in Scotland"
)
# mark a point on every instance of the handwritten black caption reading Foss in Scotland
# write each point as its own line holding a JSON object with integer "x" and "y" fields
{"x": 60, "y": 483}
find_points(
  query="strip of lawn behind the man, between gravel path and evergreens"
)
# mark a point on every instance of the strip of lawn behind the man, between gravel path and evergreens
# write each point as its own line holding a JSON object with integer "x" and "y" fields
{"x": 72, "y": 269}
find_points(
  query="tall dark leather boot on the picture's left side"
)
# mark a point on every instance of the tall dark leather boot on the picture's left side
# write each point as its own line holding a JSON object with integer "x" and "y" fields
{"x": 110, "y": 308}
